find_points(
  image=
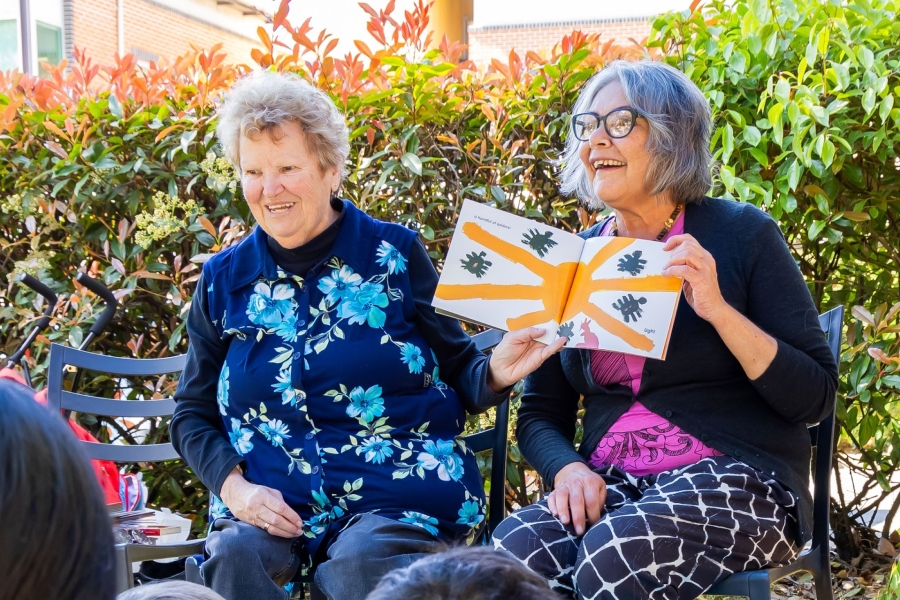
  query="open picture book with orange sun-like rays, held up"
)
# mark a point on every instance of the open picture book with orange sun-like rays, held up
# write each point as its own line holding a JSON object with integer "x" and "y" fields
{"x": 607, "y": 293}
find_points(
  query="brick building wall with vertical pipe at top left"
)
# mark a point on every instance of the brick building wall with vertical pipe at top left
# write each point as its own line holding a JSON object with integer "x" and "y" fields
{"x": 151, "y": 32}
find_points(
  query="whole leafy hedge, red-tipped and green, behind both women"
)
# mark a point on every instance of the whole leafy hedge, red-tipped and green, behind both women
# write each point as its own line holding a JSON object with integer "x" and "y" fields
{"x": 804, "y": 97}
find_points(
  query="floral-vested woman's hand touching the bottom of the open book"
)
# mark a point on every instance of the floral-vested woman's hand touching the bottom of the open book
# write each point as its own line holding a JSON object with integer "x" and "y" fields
{"x": 517, "y": 355}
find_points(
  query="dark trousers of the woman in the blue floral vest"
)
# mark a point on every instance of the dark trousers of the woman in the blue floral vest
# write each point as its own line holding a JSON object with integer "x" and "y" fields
{"x": 246, "y": 563}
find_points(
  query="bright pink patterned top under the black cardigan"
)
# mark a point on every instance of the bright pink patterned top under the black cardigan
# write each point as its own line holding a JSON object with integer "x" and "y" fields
{"x": 641, "y": 442}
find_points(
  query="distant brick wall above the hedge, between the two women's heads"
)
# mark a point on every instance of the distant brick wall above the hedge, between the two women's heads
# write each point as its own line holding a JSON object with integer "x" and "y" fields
{"x": 486, "y": 43}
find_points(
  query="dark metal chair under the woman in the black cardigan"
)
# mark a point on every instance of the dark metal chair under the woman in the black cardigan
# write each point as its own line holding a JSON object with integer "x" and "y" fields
{"x": 756, "y": 585}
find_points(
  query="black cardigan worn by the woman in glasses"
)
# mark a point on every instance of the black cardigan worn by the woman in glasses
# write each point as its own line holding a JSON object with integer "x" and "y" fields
{"x": 700, "y": 386}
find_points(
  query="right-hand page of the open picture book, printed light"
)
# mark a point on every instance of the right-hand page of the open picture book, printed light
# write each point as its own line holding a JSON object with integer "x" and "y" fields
{"x": 619, "y": 300}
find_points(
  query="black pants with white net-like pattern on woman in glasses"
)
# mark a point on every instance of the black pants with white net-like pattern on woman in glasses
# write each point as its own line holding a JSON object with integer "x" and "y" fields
{"x": 663, "y": 537}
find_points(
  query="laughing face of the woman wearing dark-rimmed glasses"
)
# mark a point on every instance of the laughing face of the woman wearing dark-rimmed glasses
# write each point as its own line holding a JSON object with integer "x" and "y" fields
{"x": 617, "y": 168}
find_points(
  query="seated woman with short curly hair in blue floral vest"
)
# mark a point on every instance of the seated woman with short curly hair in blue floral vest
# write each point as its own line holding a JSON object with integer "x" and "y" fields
{"x": 323, "y": 399}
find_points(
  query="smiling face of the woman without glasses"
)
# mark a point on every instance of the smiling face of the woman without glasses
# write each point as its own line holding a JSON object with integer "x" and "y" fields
{"x": 288, "y": 193}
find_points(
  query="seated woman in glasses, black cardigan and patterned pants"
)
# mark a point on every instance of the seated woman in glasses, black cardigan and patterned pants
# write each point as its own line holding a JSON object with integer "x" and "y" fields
{"x": 697, "y": 466}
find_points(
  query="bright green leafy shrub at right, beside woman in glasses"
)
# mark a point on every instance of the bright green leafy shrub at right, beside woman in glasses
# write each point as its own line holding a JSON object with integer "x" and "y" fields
{"x": 806, "y": 96}
